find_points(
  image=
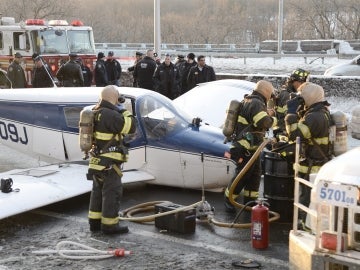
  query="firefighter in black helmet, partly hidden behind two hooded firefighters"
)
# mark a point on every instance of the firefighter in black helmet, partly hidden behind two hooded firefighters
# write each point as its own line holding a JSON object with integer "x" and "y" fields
{"x": 297, "y": 78}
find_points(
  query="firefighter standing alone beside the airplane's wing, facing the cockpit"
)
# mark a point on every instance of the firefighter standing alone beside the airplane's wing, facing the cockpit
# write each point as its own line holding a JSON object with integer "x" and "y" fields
{"x": 111, "y": 124}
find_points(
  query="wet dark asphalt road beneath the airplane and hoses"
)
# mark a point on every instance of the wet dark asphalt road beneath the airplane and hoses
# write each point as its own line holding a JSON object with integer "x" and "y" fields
{"x": 208, "y": 247}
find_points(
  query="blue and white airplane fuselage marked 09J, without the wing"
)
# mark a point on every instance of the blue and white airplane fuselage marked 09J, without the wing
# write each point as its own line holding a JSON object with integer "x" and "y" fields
{"x": 44, "y": 123}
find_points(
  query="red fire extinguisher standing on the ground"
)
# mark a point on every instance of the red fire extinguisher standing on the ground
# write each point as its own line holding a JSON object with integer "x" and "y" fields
{"x": 260, "y": 225}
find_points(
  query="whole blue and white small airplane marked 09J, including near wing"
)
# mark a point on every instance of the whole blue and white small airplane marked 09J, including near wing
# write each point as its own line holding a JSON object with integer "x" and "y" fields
{"x": 169, "y": 148}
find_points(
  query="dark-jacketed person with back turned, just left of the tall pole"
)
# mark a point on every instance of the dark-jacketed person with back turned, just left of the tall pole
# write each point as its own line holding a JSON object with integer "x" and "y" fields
{"x": 144, "y": 71}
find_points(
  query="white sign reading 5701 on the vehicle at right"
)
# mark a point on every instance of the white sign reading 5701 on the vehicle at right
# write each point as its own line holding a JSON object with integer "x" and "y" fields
{"x": 337, "y": 194}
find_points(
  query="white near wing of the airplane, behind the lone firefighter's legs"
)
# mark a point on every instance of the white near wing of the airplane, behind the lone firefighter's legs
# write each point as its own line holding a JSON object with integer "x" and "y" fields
{"x": 37, "y": 187}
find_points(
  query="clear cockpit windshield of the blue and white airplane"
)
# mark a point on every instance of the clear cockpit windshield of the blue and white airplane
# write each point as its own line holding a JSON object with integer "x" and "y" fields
{"x": 161, "y": 119}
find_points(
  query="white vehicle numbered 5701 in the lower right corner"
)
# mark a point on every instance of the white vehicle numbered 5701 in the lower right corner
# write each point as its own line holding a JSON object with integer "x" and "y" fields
{"x": 333, "y": 238}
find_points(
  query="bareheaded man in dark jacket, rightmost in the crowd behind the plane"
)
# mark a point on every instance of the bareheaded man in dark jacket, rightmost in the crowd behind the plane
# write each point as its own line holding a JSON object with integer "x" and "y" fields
{"x": 200, "y": 73}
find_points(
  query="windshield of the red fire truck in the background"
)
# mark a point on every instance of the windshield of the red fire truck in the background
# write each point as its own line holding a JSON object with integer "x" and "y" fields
{"x": 55, "y": 41}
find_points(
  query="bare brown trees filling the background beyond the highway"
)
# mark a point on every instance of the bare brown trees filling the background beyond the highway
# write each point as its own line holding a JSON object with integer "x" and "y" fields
{"x": 199, "y": 21}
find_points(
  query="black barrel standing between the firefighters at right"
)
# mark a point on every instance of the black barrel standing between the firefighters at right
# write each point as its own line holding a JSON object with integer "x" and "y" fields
{"x": 279, "y": 185}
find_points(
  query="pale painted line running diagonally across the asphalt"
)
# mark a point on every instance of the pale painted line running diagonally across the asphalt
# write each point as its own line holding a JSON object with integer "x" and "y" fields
{"x": 169, "y": 238}
